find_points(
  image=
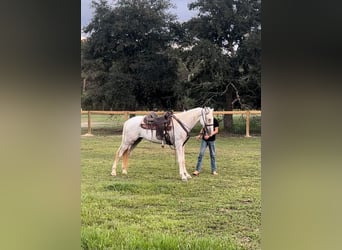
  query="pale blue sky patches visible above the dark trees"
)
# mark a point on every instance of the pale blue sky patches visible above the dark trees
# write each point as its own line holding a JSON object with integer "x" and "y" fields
{"x": 181, "y": 10}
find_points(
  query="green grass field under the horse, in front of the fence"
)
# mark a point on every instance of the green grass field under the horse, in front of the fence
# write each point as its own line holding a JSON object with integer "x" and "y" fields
{"x": 151, "y": 208}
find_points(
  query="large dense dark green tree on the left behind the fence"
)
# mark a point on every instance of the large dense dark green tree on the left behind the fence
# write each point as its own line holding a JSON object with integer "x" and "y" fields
{"x": 130, "y": 41}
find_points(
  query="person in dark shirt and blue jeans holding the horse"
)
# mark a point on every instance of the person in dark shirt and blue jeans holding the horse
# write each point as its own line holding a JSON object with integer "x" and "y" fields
{"x": 207, "y": 141}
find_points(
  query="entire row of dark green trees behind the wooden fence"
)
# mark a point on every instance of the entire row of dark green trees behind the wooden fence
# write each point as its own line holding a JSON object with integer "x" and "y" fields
{"x": 137, "y": 56}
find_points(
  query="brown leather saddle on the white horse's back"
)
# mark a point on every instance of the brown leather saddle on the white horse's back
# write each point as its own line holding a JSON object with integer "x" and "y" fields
{"x": 162, "y": 124}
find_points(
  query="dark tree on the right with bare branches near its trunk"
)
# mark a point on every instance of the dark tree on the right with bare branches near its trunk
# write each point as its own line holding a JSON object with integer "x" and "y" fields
{"x": 225, "y": 55}
